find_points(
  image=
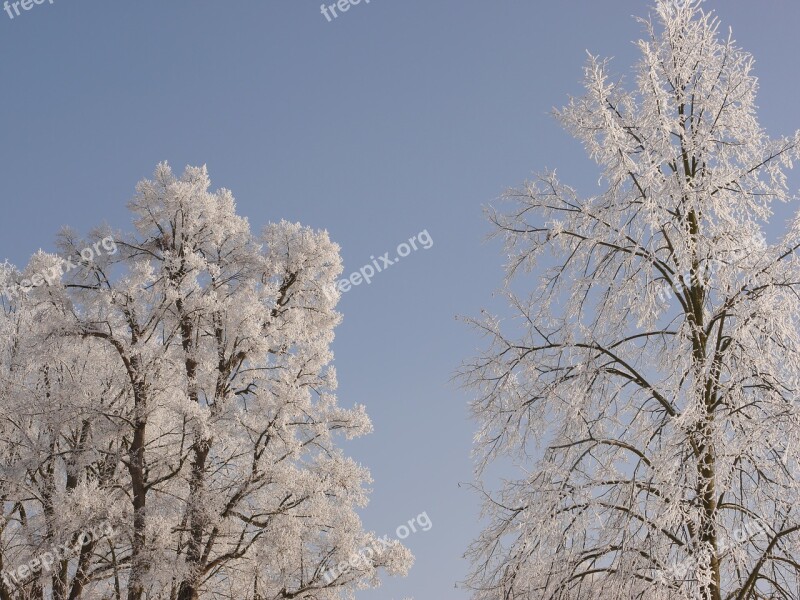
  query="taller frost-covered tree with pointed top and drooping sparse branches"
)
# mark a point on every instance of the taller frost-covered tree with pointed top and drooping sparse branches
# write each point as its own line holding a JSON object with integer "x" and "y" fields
{"x": 659, "y": 360}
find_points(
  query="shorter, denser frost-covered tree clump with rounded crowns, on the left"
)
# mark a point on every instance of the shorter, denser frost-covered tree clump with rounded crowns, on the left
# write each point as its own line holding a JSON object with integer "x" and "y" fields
{"x": 186, "y": 398}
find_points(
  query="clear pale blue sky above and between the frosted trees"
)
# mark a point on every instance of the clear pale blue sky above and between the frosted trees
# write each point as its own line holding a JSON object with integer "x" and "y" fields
{"x": 396, "y": 117}
